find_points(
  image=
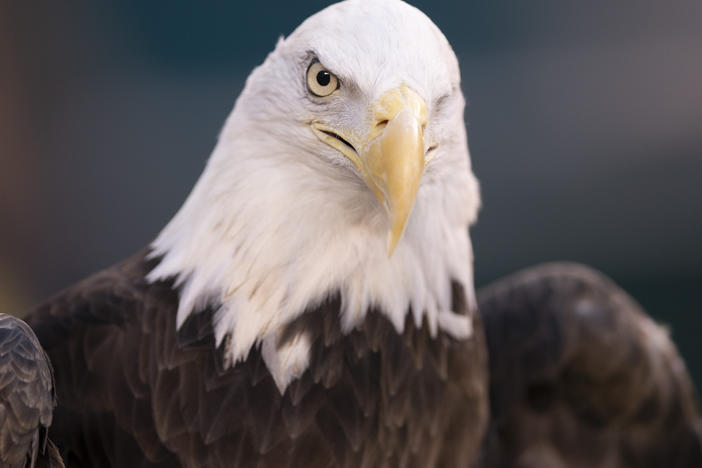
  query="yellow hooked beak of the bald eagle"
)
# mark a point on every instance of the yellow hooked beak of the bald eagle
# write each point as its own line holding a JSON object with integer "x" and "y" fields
{"x": 390, "y": 155}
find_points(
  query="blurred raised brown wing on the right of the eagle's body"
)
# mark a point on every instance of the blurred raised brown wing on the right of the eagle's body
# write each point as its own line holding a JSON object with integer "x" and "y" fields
{"x": 581, "y": 377}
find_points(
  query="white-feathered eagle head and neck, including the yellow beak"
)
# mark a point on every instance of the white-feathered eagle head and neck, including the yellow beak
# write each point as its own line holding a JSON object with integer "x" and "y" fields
{"x": 343, "y": 169}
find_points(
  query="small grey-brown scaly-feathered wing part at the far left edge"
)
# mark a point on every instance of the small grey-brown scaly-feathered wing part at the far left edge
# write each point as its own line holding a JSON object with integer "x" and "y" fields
{"x": 27, "y": 398}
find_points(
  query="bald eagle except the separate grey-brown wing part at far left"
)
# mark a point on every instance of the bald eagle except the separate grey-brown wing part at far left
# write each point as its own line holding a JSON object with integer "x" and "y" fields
{"x": 312, "y": 303}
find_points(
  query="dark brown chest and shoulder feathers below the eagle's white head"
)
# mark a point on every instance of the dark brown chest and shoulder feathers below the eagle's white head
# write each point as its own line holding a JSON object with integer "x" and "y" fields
{"x": 370, "y": 398}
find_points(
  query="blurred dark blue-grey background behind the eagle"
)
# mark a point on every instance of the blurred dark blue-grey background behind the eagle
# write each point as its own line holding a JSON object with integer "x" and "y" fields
{"x": 584, "y": 123}
